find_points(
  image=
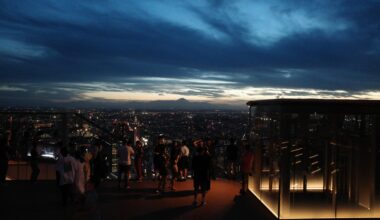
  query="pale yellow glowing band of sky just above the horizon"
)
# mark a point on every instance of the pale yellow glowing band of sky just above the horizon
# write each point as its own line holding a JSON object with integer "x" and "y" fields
{"x": 229, "y": 96}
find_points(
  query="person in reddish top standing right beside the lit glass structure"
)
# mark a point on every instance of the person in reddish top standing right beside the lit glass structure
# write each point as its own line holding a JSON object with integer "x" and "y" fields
{"x": 246, "y": 168}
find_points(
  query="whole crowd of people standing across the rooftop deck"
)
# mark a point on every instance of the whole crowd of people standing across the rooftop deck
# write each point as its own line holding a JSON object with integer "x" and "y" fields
{"x": 80, "y": 173}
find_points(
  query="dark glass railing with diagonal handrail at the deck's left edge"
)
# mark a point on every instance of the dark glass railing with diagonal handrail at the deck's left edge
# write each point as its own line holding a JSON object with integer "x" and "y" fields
{"x": 51, "y": 130}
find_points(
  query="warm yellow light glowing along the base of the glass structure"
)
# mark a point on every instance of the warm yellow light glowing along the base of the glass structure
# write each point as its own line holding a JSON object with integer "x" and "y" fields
{"x": 313, "y": 203}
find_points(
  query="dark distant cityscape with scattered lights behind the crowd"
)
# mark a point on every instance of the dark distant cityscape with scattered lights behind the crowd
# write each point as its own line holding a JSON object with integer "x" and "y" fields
{"x": 79, "y": 128}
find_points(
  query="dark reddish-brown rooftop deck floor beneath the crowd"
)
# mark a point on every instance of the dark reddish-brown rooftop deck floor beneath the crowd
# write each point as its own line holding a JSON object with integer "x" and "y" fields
{"x": 23, "y": 200}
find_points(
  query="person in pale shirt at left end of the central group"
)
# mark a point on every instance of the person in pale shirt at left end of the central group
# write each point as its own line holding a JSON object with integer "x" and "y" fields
{"x": 125, "y": 161}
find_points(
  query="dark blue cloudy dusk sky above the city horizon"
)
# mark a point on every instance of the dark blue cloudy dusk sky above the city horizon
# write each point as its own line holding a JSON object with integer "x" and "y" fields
{"x": 226, "y": 52}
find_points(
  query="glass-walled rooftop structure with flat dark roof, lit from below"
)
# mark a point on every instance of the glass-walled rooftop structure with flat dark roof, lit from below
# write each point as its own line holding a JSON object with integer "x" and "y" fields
{"x": 316, "y": 158}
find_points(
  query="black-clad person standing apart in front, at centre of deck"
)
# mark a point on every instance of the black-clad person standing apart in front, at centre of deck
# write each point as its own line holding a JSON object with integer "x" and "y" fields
{"x": 201, "y": 165}
